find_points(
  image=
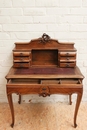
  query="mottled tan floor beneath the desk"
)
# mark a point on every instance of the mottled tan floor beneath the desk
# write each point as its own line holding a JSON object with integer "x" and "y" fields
{"x": 43, "y": 116}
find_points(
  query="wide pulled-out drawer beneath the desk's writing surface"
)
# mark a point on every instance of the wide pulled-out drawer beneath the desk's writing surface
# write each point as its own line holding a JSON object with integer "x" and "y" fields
{"x": 44, "y": 89}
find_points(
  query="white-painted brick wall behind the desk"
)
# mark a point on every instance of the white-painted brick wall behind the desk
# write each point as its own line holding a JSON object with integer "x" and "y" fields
{"x": 22, "y": 20}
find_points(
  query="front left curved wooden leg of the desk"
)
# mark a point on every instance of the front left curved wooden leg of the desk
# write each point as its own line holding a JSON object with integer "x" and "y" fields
{"x": 11, "y": 108}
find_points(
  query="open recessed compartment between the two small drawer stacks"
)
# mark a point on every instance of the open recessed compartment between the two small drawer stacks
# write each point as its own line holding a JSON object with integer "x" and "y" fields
{"x": 45, "y": 57}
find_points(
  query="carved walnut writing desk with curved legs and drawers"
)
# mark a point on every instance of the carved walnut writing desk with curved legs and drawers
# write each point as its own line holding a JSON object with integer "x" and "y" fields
{"x": 44, "y": 67}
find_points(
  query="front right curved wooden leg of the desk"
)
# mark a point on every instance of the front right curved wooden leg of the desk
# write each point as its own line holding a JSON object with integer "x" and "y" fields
{"x": 79, "y": 97}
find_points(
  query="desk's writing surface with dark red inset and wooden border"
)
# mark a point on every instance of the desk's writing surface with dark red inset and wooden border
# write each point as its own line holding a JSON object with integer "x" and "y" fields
{"x": 44, "y": 73}
